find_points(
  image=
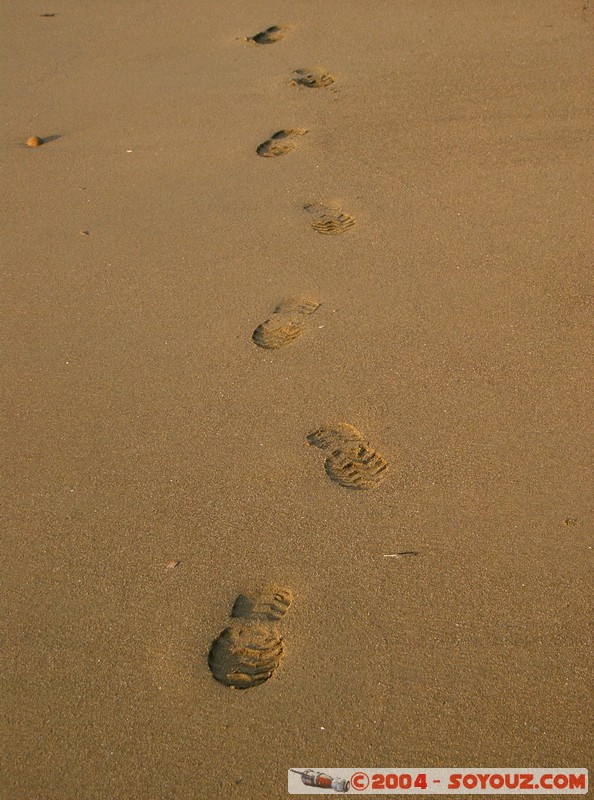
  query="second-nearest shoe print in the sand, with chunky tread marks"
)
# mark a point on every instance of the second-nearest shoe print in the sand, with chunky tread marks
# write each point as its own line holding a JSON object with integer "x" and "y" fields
{"x": 351, "y": 462}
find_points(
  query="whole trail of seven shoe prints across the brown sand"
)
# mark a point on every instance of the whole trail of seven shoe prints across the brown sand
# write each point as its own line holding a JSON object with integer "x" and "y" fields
{"x": 251, "y": 648}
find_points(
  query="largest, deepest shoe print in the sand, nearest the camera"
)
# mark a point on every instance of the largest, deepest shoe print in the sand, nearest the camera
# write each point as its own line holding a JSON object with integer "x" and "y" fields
{"x": 250, "y": 650}
